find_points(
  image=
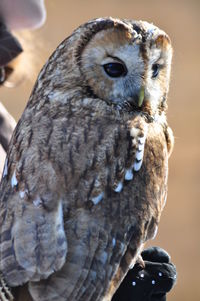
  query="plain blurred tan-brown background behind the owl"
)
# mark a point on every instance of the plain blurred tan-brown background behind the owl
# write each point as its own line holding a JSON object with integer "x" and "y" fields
{"x": 179, "y": 227}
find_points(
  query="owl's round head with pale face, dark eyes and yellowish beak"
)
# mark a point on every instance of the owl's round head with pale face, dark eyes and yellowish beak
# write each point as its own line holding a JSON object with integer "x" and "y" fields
{"x": 122, "y": 62}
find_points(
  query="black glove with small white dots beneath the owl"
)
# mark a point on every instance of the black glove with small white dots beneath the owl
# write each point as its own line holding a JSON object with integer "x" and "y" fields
{"x": 151, "y": 283}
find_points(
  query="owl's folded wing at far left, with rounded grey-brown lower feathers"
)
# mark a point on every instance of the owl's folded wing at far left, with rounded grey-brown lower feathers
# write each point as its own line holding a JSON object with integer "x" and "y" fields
{"x": 32, "y": 239}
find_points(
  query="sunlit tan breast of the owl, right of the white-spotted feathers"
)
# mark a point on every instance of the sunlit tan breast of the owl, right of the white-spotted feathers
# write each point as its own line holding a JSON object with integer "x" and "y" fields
{"x": 148, "y": 190}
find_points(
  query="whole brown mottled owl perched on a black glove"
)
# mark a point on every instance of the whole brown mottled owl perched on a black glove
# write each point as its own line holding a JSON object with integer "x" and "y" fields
{"x": 85, "y": 179}
